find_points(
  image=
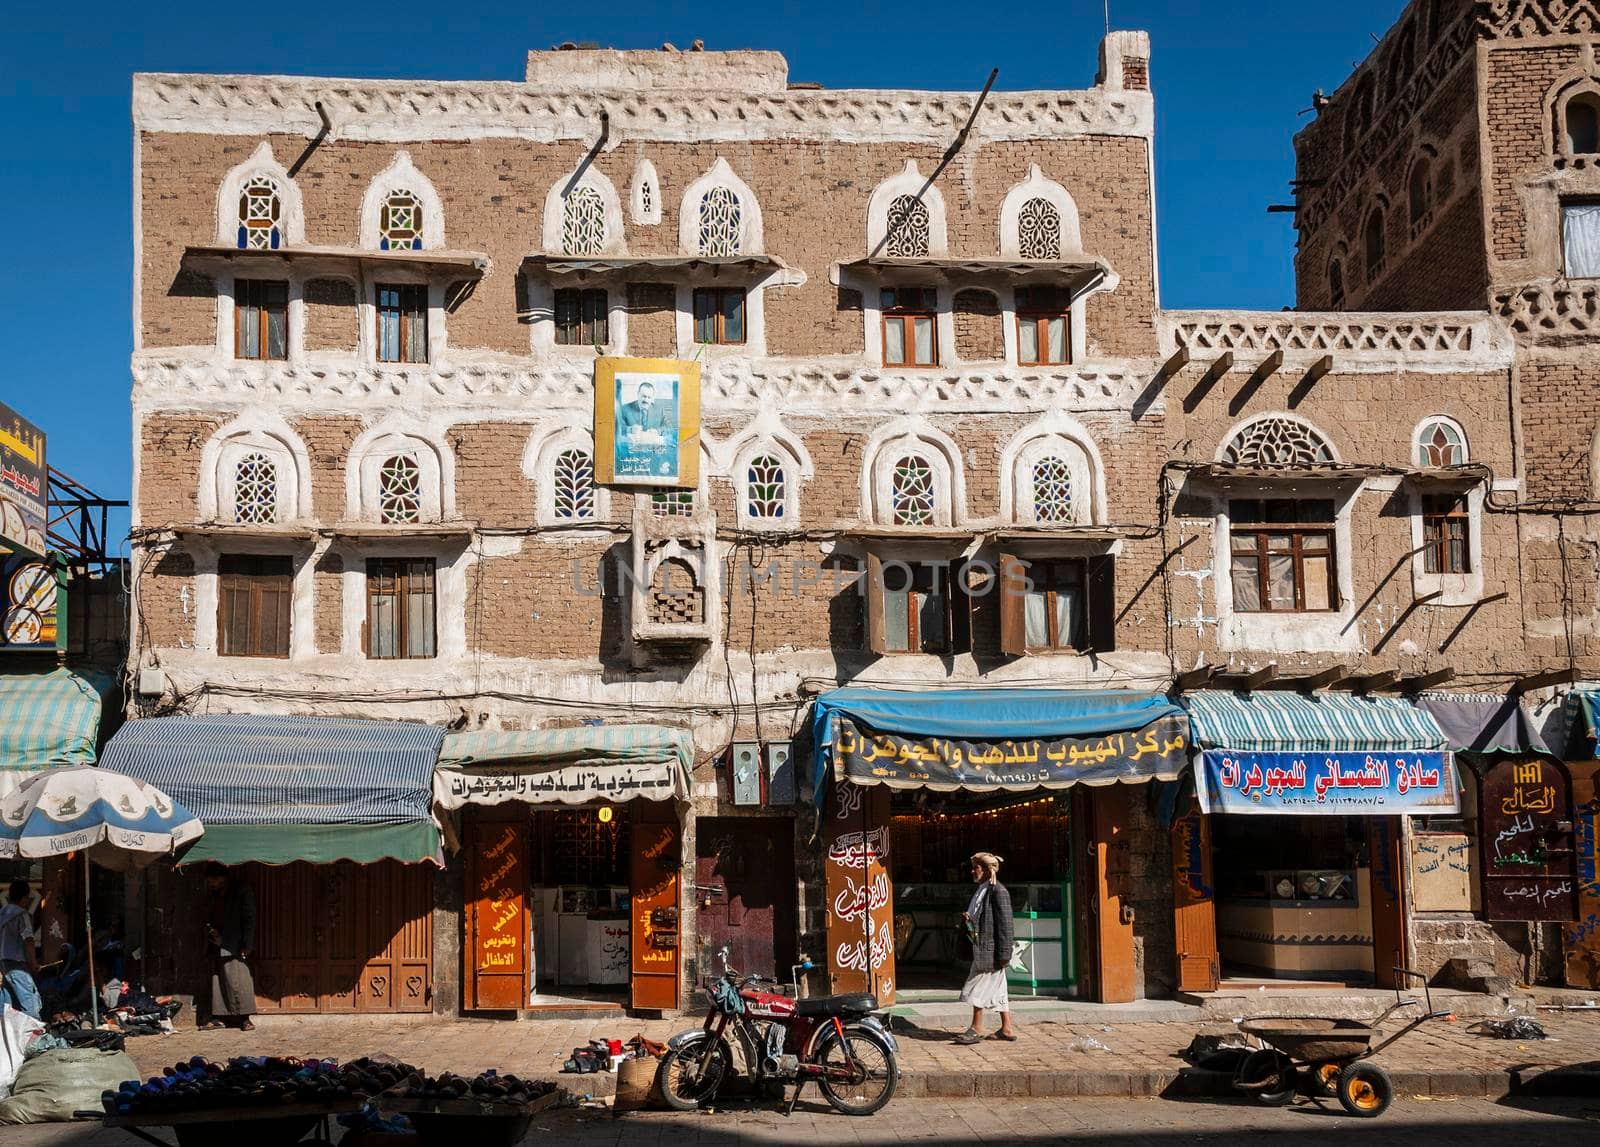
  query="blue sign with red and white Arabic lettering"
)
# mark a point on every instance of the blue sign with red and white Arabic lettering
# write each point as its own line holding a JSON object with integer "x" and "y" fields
{"x": 1332, "y": 785}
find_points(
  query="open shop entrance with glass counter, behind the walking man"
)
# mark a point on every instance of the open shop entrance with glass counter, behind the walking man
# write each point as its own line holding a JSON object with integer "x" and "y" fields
{"x": 932, "y": 839}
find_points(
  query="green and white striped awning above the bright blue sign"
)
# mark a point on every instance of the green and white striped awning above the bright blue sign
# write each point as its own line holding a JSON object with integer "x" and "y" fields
{"x": 1321, "y": 722}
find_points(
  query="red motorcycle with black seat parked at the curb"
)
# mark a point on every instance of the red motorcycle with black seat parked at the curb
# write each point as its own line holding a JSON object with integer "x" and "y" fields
{"x": 833, "y": 1041}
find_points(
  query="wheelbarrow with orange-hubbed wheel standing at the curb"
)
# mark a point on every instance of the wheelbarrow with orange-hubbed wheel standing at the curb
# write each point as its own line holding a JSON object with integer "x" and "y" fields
{"x": 1327, "y": 1058}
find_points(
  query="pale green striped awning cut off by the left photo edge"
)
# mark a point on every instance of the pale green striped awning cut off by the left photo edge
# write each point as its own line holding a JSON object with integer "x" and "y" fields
{"x": 47, "y": 721}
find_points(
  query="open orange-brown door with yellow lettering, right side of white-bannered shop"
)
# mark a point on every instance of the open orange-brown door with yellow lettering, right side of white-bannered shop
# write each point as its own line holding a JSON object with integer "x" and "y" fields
{"x": 655, "y": 866}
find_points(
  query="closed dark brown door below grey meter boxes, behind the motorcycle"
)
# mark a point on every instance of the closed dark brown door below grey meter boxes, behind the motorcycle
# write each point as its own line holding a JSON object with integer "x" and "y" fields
{"x": 745, "y": 890}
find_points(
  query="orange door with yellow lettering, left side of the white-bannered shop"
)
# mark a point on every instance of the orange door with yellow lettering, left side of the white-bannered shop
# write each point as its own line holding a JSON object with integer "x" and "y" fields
{"x": 495, "y": 962}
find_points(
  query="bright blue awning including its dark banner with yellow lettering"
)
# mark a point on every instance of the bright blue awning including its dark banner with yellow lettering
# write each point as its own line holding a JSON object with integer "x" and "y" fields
{"x": 996, "y": 740}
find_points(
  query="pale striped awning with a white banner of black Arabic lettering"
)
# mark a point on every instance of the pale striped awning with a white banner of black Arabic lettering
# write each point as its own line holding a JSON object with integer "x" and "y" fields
{"x": 570, "y": 767}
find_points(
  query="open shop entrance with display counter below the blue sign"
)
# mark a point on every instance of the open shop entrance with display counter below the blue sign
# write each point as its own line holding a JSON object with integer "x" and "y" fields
{"x": 1308, "y": 898}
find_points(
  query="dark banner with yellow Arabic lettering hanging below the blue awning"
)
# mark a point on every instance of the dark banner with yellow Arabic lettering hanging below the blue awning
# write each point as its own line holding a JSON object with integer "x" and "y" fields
{"x": 1161, "y": 749}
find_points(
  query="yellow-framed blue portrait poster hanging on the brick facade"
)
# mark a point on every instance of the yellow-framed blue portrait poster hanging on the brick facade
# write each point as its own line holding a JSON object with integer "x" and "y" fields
{"x": 647, "y": 423}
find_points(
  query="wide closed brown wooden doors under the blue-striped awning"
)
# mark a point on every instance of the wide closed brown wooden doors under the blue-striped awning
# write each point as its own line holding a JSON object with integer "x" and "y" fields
{"x": 345, "y": 938}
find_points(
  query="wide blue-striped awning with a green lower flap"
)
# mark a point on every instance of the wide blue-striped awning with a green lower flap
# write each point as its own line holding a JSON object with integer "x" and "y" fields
{"x": 292, "y": 788}
